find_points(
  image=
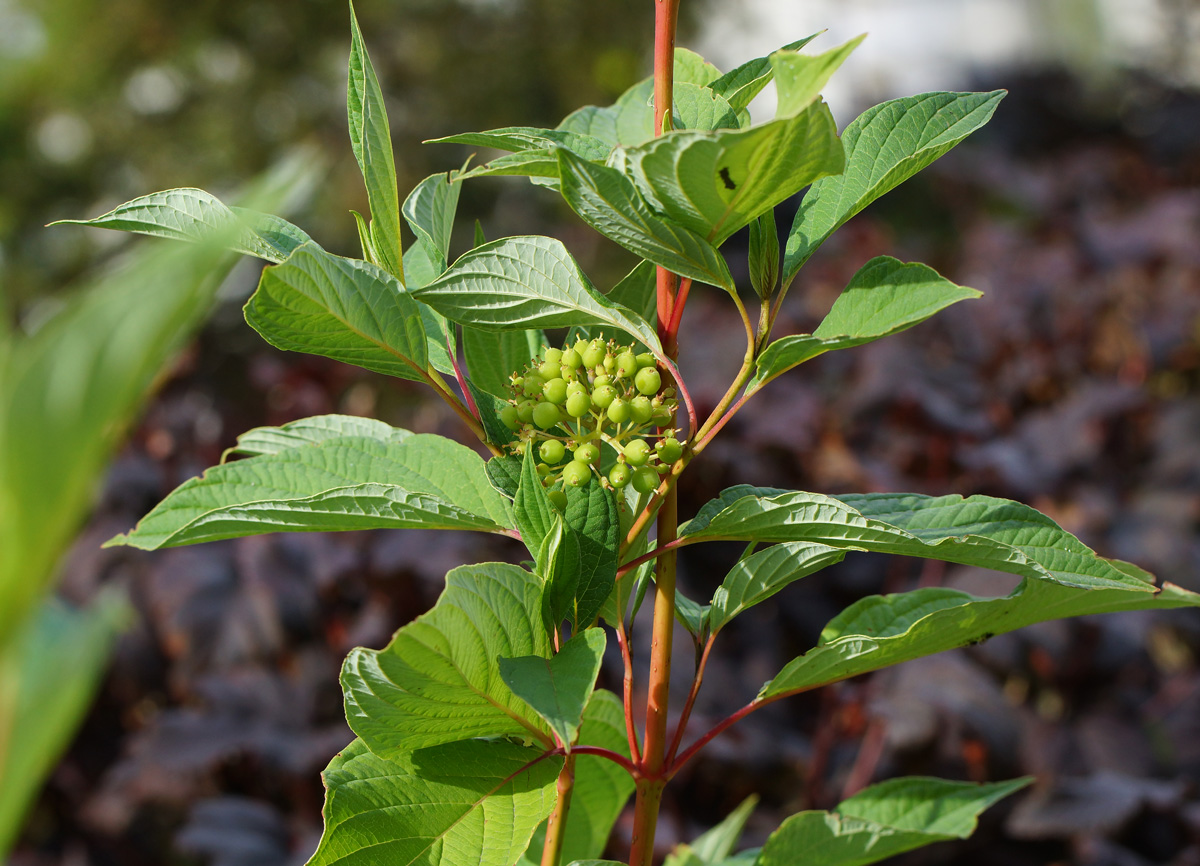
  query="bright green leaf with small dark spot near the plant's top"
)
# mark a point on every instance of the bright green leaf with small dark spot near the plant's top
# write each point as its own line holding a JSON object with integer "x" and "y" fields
{"x": 713, "y": 184}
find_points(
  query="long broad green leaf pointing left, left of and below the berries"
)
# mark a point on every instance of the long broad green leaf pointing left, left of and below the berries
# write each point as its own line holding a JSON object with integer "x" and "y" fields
{"x": 349, "y": 483}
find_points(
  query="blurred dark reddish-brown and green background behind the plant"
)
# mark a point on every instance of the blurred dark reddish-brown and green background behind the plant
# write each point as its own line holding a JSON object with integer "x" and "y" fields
{"x": 1075, "y": 386}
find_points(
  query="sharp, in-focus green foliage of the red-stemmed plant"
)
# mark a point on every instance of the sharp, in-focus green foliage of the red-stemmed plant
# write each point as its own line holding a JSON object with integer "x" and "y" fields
{"x": 477, "y": 714}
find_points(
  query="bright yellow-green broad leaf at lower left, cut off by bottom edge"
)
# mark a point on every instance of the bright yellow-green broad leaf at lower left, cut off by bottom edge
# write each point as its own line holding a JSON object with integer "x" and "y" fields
{"x": 476, "y": 802}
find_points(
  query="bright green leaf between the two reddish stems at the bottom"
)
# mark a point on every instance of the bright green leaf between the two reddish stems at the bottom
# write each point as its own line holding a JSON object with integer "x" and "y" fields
{"x": 602, "y": 787}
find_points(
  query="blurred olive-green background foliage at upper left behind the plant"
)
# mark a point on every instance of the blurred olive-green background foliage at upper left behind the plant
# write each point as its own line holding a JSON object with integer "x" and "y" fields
{"x": 103, "y": 100}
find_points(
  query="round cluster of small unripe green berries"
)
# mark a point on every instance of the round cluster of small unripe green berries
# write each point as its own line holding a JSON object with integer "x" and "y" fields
{"x": 569, "y": 401}
